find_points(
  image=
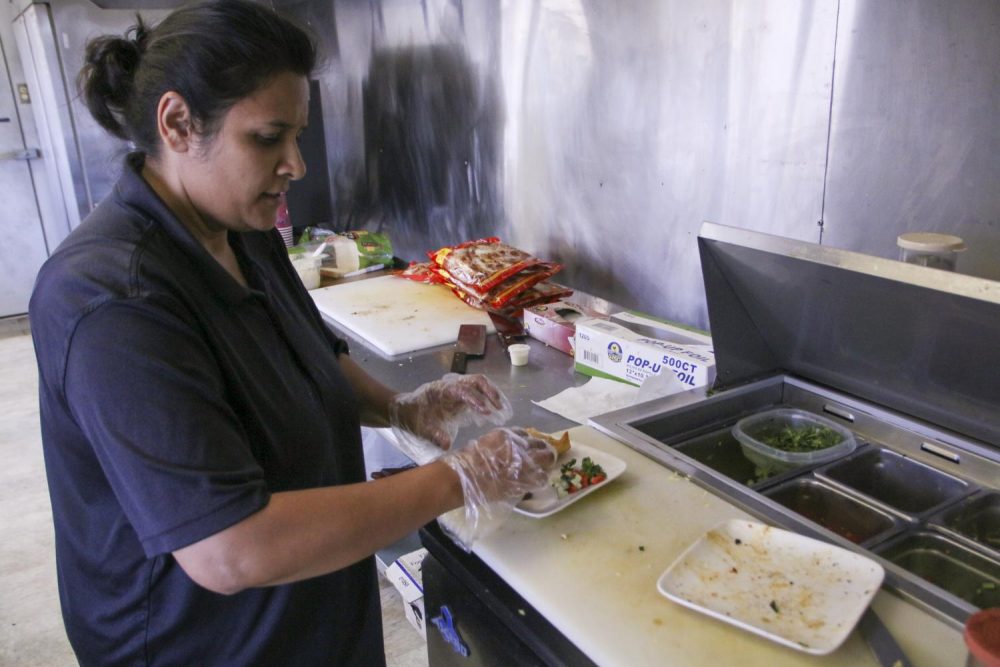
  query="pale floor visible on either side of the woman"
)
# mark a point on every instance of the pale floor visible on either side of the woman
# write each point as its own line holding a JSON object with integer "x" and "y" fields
{"x": 31, "y": 631}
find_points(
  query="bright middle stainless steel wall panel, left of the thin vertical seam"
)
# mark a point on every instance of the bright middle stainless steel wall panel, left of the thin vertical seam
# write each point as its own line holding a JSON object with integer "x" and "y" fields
{"x": 629, "y": 123}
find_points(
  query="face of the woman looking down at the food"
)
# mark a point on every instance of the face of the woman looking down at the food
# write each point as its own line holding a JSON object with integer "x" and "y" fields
{"x": 235, "y": 179}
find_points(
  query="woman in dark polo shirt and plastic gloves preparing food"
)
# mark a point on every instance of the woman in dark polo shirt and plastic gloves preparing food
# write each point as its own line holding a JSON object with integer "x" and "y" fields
{"x": 201, "y": 426}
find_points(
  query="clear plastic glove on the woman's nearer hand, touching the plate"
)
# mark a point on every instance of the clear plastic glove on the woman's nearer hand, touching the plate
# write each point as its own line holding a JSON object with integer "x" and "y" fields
{"x": 496, "y": 471}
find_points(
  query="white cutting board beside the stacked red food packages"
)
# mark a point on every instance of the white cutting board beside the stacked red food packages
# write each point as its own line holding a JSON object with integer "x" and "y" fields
{"x": 396, "y": 315}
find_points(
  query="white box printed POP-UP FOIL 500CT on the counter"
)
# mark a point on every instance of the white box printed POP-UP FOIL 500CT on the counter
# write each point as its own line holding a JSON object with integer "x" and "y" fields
{"x": 631, "y": 348}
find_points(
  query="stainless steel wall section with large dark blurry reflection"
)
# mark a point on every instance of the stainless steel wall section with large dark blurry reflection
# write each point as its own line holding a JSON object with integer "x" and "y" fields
{"x": 413, "y": 122}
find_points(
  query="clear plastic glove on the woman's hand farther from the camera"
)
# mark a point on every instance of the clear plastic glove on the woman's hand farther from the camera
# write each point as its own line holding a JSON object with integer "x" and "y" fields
{"x": 426, "y": 420}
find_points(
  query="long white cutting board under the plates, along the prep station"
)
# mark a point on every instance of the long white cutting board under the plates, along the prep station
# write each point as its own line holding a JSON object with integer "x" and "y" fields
{"x": 591, "y": 570}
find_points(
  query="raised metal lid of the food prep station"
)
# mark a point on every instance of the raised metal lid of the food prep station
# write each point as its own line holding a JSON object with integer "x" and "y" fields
{"x": 920, "y": 341}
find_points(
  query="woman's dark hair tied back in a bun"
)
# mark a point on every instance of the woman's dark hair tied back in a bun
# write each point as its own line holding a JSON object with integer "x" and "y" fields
{"x": 212, "y": 53}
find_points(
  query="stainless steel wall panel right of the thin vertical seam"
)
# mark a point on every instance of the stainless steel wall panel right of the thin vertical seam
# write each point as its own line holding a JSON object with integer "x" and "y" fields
{"x": 915, "y": 142}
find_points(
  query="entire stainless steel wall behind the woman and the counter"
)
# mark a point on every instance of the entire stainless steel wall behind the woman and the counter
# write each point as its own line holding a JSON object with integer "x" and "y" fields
{"x": 602, "y": 134}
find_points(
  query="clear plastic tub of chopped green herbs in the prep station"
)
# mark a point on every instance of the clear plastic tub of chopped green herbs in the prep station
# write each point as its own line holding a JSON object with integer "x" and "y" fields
{"x": 787, "y": 438}
